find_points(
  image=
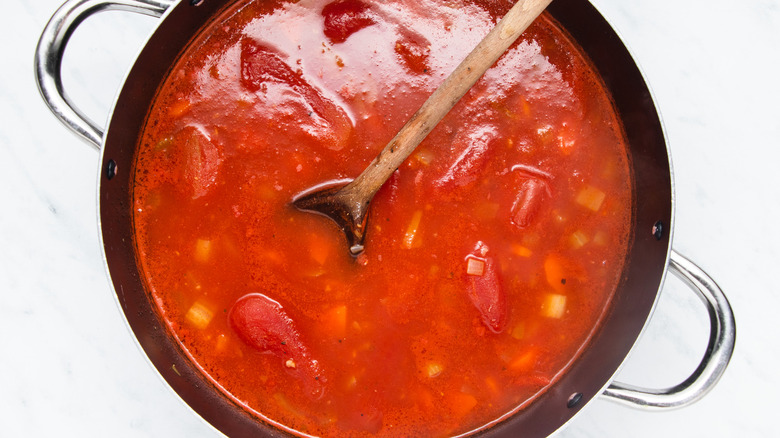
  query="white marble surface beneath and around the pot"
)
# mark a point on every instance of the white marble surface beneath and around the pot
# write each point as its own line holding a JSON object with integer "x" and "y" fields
{"x": 69, "y": 367}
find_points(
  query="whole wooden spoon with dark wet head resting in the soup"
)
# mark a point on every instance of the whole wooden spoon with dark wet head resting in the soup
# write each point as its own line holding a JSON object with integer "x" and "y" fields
{"x": 347, "y": 205}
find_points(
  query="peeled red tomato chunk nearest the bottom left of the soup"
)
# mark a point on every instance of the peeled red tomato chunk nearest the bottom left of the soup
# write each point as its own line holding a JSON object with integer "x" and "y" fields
{"x": 263, "y": 324}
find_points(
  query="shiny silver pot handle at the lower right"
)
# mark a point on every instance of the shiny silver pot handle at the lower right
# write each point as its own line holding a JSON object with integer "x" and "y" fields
{"x": 716, "y": 358}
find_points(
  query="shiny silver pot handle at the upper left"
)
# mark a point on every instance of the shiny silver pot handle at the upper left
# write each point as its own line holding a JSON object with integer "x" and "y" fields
{"x": 51, "y": 46}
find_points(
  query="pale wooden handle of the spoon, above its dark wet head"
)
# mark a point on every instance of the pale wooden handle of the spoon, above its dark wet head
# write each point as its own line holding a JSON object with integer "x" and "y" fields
{"x": 457, "y": 84}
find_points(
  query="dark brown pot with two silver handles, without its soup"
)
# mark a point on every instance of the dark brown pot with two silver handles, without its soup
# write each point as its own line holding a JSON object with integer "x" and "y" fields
{"x": 650, "y": 253}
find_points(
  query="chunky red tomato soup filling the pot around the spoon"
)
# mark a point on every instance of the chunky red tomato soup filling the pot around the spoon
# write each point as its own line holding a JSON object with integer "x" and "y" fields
{"x": 491, "y": 254}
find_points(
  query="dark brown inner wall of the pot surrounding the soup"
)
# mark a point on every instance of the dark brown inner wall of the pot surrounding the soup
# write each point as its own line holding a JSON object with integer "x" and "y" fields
{"x": 630, "y": 307}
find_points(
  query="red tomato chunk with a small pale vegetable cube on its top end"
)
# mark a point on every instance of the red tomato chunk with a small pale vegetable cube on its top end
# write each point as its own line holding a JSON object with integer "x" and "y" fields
{"x": 484, "y": 289}
